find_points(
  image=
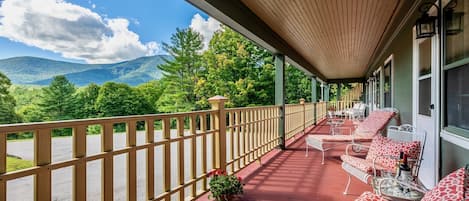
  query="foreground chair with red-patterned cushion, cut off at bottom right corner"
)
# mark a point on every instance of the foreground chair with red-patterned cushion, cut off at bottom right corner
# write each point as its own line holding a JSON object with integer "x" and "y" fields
{"x": 454, "y": 186}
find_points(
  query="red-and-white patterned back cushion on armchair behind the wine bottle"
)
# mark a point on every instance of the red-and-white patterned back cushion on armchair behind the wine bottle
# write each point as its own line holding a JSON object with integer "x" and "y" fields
{"x": 381, "y": 146}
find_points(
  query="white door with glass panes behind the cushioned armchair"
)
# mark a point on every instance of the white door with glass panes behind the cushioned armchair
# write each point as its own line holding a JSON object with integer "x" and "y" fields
{"x": 425, "y": 93}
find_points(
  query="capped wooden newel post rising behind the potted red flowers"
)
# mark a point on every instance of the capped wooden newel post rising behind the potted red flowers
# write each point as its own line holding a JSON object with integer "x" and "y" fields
{"x": 218, "y": 103}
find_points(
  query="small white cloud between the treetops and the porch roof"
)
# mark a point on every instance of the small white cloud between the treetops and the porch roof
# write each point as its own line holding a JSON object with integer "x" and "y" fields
{"x": 205, "y": 27}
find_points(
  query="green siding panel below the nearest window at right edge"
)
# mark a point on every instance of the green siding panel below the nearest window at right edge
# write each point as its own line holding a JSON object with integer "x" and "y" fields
{"x": 452, "y": 157}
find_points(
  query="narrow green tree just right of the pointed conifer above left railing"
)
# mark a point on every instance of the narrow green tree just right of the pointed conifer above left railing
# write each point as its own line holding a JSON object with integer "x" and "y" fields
{"x": 86, "y": 100}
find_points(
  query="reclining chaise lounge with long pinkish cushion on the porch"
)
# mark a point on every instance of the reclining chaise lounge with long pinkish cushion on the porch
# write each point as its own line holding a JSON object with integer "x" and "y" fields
{"x": 364, "y": 132}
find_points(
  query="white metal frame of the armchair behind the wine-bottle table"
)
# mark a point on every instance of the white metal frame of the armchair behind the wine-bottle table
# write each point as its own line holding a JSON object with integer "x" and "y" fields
{"x": 404, "y": 133}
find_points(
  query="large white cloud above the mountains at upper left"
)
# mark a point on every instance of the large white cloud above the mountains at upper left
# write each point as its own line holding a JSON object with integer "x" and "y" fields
{"x": 73, "y": 31}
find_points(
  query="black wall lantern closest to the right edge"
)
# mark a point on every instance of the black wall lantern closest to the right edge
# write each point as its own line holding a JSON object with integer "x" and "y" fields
{"x": 453, "y": 19}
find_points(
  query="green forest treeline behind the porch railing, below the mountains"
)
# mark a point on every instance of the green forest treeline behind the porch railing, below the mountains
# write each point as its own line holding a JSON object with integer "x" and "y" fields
{"x": 231, "y": 66}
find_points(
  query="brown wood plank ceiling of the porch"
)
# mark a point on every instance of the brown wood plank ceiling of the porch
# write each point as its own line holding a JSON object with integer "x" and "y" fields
{"x": 338, "y": 37}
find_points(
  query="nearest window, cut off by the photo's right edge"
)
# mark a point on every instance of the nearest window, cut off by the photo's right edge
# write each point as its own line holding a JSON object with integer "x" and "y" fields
{"x": 456, "y": 74}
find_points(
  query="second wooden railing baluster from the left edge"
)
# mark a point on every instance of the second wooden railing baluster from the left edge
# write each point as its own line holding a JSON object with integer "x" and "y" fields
{"x": 42, "y": 157}
